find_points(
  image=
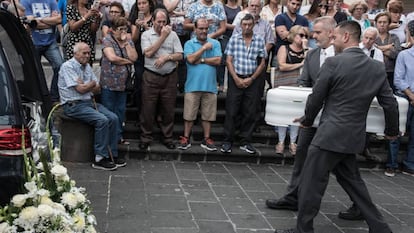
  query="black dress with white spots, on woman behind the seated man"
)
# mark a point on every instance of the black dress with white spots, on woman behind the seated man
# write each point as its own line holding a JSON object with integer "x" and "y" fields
{"x": 84, "y": 34}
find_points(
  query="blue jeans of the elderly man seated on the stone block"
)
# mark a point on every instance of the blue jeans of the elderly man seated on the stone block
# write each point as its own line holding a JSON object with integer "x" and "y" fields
{"x": 104, "y": 121}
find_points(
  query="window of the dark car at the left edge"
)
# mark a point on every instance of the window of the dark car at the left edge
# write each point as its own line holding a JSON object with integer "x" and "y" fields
{"x": 7, "y": 116}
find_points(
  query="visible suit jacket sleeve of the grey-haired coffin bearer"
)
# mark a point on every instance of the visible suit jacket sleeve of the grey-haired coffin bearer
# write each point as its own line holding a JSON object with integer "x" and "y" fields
{"x": 310, "y": 68}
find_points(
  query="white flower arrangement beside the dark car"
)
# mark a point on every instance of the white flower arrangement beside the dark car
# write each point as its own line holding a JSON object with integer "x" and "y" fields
{"x": 50, "y": 201}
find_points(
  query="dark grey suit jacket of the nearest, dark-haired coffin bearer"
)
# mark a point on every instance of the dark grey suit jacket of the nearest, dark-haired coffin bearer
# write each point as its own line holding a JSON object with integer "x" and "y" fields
{"x": 345, "y": 88}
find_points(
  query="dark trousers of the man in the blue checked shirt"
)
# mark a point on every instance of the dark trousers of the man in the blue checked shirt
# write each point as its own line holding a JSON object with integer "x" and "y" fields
{"x": 240, "y": 106}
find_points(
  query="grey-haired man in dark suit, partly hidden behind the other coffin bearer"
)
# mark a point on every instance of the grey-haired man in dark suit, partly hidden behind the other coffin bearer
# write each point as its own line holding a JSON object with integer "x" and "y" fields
{"x": 323, "y": 34}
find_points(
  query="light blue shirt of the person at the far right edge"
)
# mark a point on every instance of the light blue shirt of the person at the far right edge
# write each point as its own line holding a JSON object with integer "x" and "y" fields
{"x": 404, "y": 70}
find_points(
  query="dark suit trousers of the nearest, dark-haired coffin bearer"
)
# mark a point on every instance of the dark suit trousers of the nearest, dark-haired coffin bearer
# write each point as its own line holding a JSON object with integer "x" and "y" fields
{"x": 315, "y": 179}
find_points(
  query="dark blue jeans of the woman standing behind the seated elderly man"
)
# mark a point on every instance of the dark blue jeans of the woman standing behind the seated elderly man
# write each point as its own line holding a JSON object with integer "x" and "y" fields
{"x": 115, "y": 101}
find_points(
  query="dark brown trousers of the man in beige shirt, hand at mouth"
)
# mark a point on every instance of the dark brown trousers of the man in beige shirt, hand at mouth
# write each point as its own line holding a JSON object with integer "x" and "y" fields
{"x": 158, "y": 100}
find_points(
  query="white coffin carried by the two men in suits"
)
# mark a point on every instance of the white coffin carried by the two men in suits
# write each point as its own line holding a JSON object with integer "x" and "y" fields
{"x": 283, "y": 104}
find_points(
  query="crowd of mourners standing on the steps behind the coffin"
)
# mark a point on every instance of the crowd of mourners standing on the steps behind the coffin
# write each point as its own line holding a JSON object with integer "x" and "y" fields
{"x": 164, "y": 44}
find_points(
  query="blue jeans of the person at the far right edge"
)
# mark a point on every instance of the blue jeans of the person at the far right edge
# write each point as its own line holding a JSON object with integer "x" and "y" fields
{"x": 395, "y": 145}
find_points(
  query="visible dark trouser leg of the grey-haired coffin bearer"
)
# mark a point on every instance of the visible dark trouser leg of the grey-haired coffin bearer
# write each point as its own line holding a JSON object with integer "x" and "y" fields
{"x": 304, "y": 140}
